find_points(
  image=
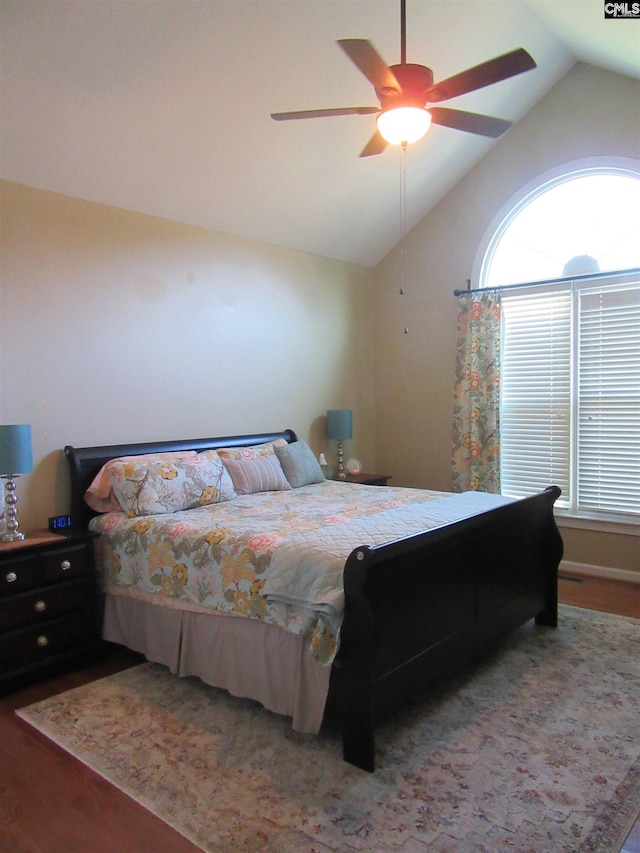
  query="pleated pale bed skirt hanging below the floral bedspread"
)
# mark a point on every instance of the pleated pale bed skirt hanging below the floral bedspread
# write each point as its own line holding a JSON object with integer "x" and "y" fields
{"x": 250, "y": 659}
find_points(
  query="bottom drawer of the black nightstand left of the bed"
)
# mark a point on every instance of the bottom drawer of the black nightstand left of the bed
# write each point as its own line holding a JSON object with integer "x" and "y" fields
{"x": 42, "y": 642}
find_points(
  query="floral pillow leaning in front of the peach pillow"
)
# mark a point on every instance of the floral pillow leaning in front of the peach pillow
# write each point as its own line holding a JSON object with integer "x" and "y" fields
{"x": 145, "y": 487}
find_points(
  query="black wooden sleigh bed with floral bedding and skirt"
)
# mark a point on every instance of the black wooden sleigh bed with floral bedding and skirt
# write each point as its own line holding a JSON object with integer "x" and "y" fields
{"x": 438, "y": 579}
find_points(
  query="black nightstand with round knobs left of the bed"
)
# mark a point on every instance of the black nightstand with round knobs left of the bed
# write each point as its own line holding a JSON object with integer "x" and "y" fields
{"x": 49, "y": 606}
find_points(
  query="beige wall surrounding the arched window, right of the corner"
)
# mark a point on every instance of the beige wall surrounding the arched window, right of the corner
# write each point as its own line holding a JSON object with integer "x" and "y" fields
{"x": 589, "y": 113}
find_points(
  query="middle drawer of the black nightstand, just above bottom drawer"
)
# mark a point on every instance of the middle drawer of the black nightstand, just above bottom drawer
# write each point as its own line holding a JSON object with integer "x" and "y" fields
{"x": 43, "y": 605}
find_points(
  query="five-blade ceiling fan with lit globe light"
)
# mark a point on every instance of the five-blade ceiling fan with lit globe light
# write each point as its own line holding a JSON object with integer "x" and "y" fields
{"x": 406, "y": 92}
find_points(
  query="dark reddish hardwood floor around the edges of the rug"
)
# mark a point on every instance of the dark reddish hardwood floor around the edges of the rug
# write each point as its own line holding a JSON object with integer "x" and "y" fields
{"x": 51, "y": 803}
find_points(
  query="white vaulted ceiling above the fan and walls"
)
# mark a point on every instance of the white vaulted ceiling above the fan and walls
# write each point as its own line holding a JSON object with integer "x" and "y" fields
{"x": 163, "y": 106}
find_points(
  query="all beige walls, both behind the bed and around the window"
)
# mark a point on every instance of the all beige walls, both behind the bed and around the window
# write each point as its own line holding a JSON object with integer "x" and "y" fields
{"x": 116, "y": 326}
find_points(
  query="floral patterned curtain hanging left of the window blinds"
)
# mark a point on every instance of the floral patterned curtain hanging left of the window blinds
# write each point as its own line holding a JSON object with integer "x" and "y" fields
{"x": 476, "y": 408}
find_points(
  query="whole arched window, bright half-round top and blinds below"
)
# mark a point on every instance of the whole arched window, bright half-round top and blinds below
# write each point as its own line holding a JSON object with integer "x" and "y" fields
{"x": 570, "y": 340}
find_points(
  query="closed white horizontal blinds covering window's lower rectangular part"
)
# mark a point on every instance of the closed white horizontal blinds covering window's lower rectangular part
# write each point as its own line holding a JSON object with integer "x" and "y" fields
{"x": 570, "y": 395}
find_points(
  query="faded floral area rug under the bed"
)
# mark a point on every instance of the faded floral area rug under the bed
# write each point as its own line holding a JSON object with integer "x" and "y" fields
{"x": 536, "y": 749}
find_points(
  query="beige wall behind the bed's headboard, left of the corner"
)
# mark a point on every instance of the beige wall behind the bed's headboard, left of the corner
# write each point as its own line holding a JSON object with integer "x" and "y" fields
{"x": 119, "y": 327}
